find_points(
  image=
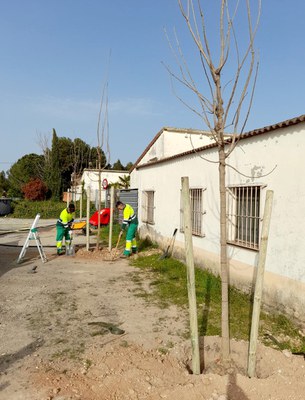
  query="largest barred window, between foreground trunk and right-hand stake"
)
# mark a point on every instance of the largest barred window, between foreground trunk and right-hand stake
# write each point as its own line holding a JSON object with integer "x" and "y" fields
{"x": 243, "y": 216}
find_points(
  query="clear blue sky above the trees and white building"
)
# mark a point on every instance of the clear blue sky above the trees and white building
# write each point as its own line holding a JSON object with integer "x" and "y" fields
{"x": 55, "y": 57}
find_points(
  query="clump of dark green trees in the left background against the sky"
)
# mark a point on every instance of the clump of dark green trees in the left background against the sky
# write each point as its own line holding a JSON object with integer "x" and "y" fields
{"x": 55, "y": 167}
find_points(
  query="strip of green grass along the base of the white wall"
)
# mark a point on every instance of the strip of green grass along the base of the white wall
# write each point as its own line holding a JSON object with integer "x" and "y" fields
{"x": 168, "y": 285}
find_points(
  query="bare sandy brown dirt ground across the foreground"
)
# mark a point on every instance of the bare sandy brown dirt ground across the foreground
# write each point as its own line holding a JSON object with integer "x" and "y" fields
{"x": 80, "y": 328}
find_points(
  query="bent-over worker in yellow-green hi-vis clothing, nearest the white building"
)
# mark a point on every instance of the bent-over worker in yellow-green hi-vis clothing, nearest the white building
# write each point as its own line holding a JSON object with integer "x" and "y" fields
{"x": 130, "y": 221}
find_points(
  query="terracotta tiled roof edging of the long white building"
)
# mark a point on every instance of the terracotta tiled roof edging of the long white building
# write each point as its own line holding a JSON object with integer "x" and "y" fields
{"x": 255, "y": 132}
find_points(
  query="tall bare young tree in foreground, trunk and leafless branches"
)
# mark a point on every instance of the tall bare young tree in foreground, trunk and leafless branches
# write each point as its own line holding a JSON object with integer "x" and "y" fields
{"x": 224, "y": 101}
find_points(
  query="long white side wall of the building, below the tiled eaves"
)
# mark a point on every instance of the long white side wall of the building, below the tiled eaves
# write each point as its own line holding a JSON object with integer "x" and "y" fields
{"x": 278, "y": 160}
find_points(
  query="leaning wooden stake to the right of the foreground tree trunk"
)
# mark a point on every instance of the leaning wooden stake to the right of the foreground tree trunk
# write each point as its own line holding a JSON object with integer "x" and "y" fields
{"x": 259, "y": 284}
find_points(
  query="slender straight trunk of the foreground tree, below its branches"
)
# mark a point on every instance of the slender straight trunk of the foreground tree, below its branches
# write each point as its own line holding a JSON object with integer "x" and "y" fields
{"x": 224, "y": 258}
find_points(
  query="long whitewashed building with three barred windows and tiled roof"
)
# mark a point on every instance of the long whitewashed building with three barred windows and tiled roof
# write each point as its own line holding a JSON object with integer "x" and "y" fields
{"x": 271, "y": 158}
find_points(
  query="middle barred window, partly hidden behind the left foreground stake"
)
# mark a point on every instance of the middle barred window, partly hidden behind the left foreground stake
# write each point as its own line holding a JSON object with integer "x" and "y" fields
{"x": 196, "y": 202}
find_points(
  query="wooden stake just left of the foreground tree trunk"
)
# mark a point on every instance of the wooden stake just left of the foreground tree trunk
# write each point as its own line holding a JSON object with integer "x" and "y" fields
{"x": 190, "y": 274}
